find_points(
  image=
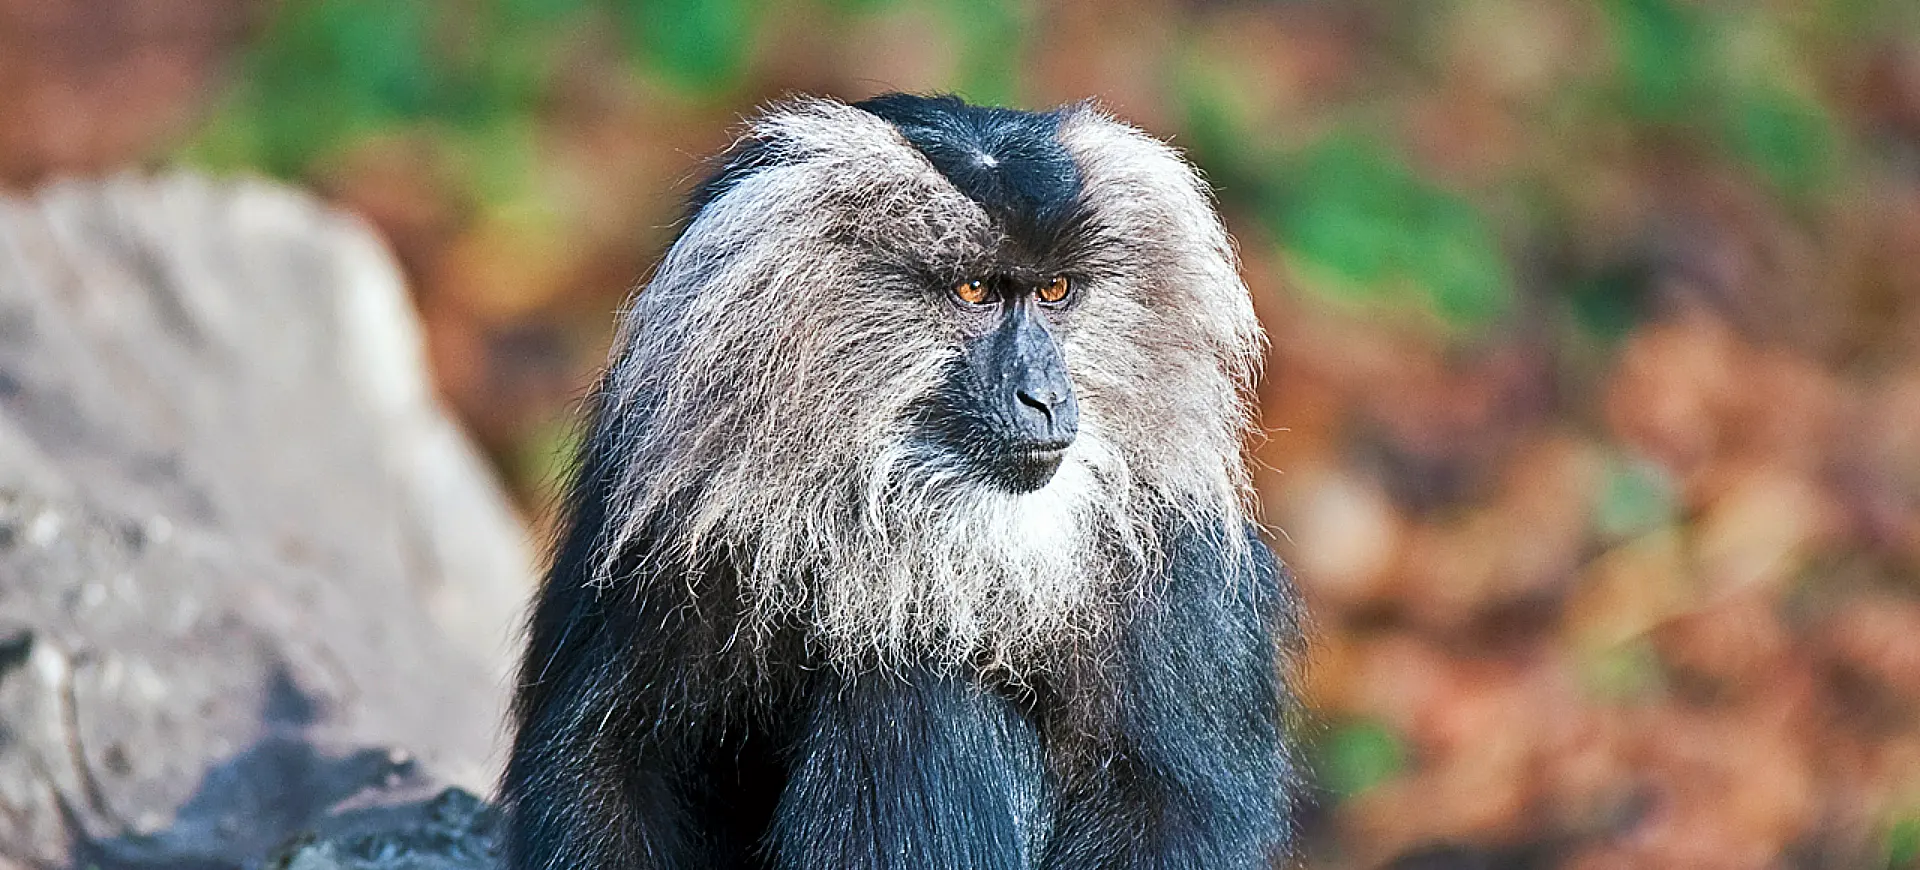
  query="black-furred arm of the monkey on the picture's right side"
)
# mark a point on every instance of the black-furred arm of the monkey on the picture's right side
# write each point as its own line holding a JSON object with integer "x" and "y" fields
{"x": 1188, "y": 760}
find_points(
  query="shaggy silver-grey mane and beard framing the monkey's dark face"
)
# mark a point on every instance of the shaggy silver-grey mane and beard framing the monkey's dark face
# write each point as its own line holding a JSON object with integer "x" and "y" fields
{"x": 765, "y": 385}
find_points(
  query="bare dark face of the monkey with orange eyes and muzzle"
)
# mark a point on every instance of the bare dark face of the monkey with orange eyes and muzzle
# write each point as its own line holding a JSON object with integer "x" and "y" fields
{"x": 1011, "y": 397}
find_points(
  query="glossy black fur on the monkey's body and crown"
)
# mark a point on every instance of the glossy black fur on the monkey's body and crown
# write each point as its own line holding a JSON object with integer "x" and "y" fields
{"x": 648, "y": 735}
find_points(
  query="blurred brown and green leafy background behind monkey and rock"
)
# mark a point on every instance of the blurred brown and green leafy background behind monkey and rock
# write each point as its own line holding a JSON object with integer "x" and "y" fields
{"x": 1593, "y": 418}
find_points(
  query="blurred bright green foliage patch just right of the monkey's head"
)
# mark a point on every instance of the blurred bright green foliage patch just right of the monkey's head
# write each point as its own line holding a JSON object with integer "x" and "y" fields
{"x": 1383, "y": 235}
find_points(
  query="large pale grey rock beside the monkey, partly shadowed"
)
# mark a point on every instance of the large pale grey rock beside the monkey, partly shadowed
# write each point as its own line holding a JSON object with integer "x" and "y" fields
{"x": 243, "y": 550}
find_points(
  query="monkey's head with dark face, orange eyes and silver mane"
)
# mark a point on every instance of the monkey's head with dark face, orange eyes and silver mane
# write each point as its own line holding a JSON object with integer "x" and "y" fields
{"x": 934, "y": 374}
